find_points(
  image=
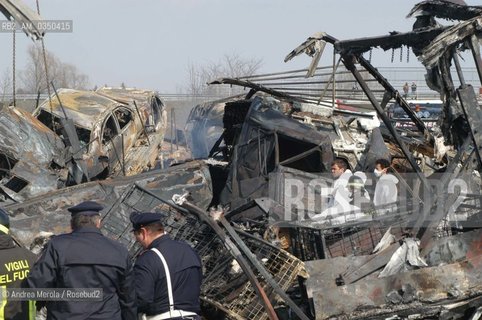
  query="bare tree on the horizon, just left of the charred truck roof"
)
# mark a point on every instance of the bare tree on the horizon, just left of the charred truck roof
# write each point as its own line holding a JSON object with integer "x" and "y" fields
{"x": 231, "y": 65}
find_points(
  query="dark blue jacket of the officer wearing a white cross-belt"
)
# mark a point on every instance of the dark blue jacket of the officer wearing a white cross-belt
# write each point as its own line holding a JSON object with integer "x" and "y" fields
{"x": 150, "y": 280}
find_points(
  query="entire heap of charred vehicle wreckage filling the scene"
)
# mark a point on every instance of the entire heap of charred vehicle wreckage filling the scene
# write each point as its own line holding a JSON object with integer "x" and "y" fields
{"x": 253, "y": 202}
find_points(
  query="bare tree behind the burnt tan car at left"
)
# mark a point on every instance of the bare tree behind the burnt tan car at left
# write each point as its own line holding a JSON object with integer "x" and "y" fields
{"x": 64, "y": 75}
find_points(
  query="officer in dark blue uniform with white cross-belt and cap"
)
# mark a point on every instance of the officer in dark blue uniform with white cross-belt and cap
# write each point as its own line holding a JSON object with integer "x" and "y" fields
{"x": 167, "y": 273}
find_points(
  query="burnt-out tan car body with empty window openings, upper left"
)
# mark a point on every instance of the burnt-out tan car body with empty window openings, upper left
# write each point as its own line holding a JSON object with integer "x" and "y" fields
{"x": 107, "y": 130}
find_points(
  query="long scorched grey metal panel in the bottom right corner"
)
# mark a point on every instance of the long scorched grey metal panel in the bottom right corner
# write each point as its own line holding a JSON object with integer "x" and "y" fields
{"x": 431, "y": 285}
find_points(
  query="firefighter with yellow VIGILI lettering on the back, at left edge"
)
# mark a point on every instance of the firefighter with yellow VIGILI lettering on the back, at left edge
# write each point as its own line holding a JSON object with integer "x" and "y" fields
{"x": 15, "y": 263}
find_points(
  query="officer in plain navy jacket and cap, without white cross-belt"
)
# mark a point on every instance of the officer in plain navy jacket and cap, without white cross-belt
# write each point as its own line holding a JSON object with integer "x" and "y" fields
{"x": 85, "y": 258}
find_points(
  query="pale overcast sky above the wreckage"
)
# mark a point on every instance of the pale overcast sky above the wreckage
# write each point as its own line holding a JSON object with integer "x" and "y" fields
{"x": 150, "y": 43}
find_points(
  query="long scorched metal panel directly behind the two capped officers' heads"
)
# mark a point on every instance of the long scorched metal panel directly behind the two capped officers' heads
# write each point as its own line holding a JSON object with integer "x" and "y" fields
{"x": 48, "y": 213}
